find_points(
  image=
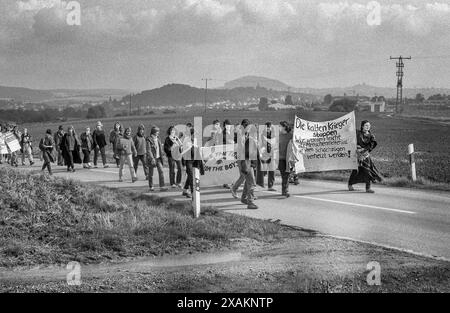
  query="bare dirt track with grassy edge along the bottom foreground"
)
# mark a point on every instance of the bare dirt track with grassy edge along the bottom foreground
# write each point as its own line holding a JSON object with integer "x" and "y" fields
{"x": 314, "y": 264}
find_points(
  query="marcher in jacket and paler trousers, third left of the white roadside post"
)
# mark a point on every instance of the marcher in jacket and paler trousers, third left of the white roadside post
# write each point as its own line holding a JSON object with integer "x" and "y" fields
{"x": 154, "y": 158}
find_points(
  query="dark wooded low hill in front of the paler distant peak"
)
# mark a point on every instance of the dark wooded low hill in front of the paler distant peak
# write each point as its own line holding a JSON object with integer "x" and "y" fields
{"x": 181, "y": 95}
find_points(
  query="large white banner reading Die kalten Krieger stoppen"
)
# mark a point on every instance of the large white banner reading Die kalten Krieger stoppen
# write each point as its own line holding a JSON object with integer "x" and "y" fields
{"x": 326, "y": 146}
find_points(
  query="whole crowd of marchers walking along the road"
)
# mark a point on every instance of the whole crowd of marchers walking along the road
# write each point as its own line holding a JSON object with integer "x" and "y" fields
{"x": 260, "y": 158}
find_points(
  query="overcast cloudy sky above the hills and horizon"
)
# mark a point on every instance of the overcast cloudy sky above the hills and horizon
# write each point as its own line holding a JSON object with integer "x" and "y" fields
{"x": 143, "y": 44}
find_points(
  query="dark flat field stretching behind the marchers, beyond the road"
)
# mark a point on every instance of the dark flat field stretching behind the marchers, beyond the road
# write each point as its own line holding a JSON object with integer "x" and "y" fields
{"x": 430, "y": 138}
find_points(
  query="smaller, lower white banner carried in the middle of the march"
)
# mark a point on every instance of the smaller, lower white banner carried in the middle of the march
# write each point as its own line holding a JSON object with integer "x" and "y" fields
{"x": 220, "y": 167}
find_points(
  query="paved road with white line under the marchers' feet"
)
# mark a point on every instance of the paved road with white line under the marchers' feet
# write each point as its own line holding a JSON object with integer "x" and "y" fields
{"x": 416, "y": 220}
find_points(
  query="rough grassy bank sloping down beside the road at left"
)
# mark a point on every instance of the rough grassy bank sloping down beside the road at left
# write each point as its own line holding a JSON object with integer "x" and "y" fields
{"x": 48, "y": 220}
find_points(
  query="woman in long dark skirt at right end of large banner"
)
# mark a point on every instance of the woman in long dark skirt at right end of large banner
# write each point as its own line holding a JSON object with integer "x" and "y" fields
{"x": 367, "y": 171}
